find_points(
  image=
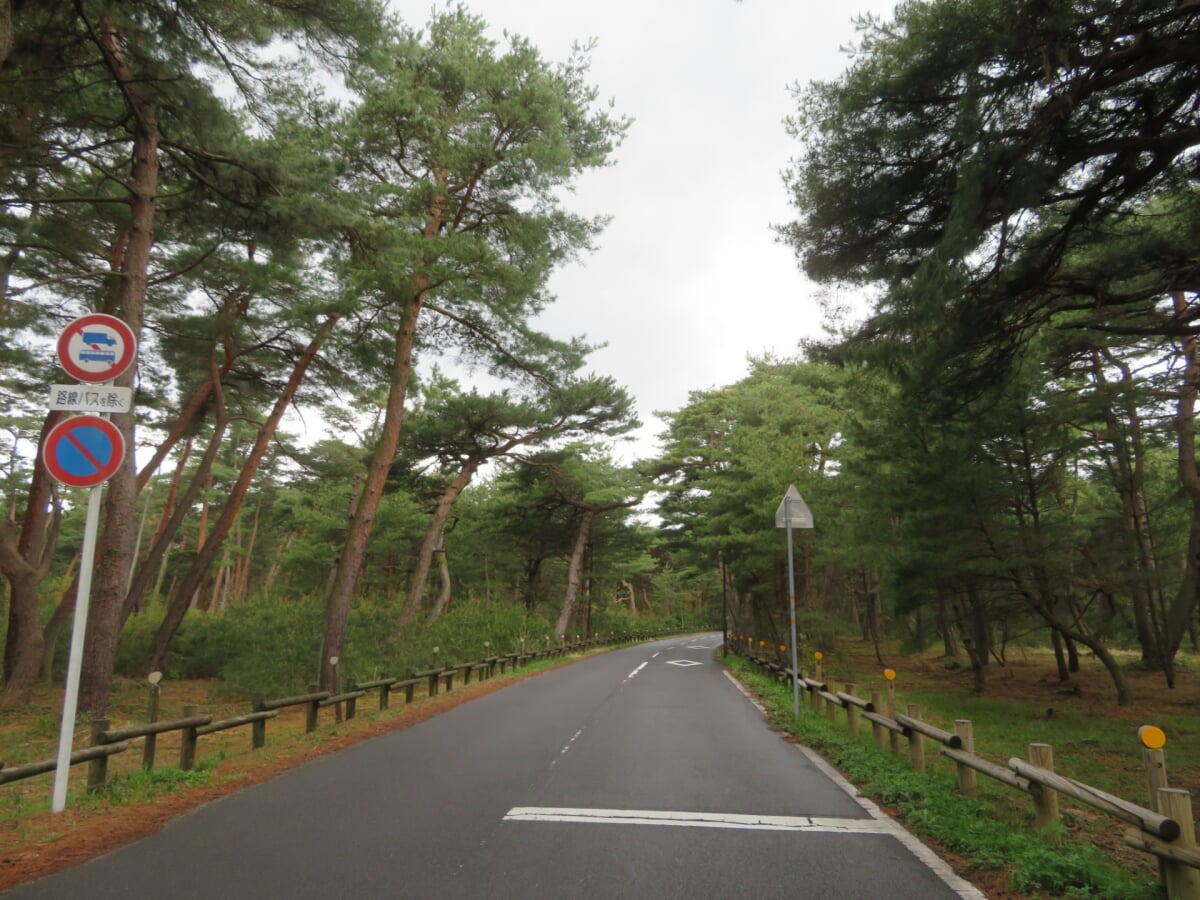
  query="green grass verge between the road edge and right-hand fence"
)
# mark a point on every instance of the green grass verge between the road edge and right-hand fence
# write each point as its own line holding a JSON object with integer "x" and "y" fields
{"x": 991, "y": 833}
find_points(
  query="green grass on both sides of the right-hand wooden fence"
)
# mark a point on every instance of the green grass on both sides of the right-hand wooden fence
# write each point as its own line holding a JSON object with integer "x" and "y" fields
{"x": 1093, "y": 741}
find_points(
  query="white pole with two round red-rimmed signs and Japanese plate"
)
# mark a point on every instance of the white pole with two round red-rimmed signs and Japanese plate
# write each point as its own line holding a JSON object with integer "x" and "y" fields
{"x": 86, "y": 452}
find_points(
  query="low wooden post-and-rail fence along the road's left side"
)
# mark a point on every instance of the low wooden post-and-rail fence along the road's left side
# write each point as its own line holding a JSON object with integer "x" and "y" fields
{"x": 106, "y": 742}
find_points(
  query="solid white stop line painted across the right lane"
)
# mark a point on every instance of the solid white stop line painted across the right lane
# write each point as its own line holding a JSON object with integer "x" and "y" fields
{"x": 698, "y": 820}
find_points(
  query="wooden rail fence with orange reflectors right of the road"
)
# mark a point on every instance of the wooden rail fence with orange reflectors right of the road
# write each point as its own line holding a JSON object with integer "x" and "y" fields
{"x": 1167, "y": 830}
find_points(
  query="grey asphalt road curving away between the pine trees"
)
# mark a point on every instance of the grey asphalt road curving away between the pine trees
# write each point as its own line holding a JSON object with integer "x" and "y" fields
{"x": 640, "y": 773}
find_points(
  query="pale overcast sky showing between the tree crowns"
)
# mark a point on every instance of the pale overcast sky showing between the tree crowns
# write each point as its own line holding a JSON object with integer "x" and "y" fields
{"x": 688, "y": 280}
